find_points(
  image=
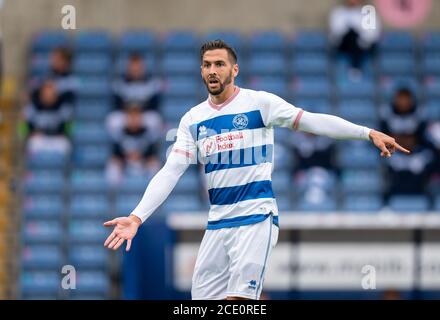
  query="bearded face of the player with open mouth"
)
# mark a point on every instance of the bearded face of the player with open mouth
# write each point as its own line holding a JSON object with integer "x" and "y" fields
{"x": 217, "y": 71}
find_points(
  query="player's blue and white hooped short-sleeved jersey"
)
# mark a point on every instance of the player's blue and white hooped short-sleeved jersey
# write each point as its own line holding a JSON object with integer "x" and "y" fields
{"x": 235, "y": 142}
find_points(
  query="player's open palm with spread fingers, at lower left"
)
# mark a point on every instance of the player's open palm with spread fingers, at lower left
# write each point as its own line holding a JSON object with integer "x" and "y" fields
{"x": 125, "y": 229}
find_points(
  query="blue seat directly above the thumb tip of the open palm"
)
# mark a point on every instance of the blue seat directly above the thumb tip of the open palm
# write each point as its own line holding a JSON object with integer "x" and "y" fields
{"x": 89, "y": 206}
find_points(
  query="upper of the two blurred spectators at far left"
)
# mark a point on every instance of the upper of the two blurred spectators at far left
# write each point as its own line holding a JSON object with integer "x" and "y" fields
{"x": 61, "y": 73}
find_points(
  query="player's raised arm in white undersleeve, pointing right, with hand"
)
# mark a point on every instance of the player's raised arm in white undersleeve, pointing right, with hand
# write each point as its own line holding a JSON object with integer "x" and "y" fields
{"x": 338, "y": 128}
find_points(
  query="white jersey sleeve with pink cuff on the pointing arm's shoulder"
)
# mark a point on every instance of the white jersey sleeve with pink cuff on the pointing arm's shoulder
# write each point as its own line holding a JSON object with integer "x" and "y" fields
{"x": 277, "y": 112}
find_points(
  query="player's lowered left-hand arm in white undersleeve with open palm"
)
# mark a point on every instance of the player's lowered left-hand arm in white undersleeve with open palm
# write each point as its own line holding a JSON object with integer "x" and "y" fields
{"x": 125, "y": 228}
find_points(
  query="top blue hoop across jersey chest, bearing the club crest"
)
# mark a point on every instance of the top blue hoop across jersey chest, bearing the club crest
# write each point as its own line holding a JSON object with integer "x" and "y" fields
{"x": 222, "y": 124}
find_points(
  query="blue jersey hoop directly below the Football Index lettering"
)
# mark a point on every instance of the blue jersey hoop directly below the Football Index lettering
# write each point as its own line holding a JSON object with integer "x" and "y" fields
{"x": 239, "y": 158}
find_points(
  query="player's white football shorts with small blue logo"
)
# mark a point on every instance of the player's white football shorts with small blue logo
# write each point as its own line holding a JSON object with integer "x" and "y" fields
{"x": 232, "y": 261}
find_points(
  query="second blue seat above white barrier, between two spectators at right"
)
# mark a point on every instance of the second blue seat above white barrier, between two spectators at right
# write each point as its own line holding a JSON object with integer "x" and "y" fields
{"x": 361, "y": 181}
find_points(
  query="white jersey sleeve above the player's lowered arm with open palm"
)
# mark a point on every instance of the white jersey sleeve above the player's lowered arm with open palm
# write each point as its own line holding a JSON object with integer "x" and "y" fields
{"x": 185, "y": 144}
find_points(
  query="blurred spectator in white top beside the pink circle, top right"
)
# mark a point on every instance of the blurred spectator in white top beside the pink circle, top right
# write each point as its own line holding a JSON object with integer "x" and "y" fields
{"x": 350, "y": 37}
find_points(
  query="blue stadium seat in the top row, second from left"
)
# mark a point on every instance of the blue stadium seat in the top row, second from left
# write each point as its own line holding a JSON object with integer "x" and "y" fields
{"x": 93, "y": 41}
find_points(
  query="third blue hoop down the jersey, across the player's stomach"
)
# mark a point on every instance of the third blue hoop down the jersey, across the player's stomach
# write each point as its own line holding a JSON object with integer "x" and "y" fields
{"x": 250, "y": 191}
